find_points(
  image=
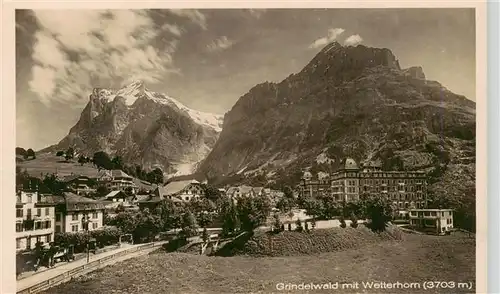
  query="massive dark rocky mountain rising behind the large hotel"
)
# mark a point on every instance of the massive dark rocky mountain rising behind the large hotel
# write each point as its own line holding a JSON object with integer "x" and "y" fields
{"x": 349, "y": 101}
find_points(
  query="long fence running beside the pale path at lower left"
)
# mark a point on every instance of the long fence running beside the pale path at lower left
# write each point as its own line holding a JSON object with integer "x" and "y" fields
{"x": 66, "y": 276}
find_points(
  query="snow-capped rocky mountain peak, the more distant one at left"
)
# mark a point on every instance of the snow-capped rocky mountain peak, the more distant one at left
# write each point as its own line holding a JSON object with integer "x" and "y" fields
{"x": 144, "y": 127}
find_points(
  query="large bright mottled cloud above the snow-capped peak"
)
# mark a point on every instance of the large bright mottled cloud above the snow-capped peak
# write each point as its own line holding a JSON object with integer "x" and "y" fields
{"x": 75, "y": 51}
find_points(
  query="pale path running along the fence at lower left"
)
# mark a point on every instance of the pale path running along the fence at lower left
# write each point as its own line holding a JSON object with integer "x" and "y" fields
{"x": 54, "y": 272}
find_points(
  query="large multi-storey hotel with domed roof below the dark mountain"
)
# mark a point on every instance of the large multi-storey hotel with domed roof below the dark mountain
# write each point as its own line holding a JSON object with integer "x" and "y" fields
{"x": 406, "y": 189}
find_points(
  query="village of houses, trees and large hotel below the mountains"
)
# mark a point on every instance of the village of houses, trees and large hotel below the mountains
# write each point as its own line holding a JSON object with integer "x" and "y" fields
{"x": 53, "y": 228}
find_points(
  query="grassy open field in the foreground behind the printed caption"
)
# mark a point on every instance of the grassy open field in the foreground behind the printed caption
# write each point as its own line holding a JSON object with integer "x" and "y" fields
{"x": 415, "y": 259}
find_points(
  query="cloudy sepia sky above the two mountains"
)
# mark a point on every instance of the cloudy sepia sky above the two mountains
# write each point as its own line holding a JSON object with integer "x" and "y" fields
{"x": 207, "y": 59}
